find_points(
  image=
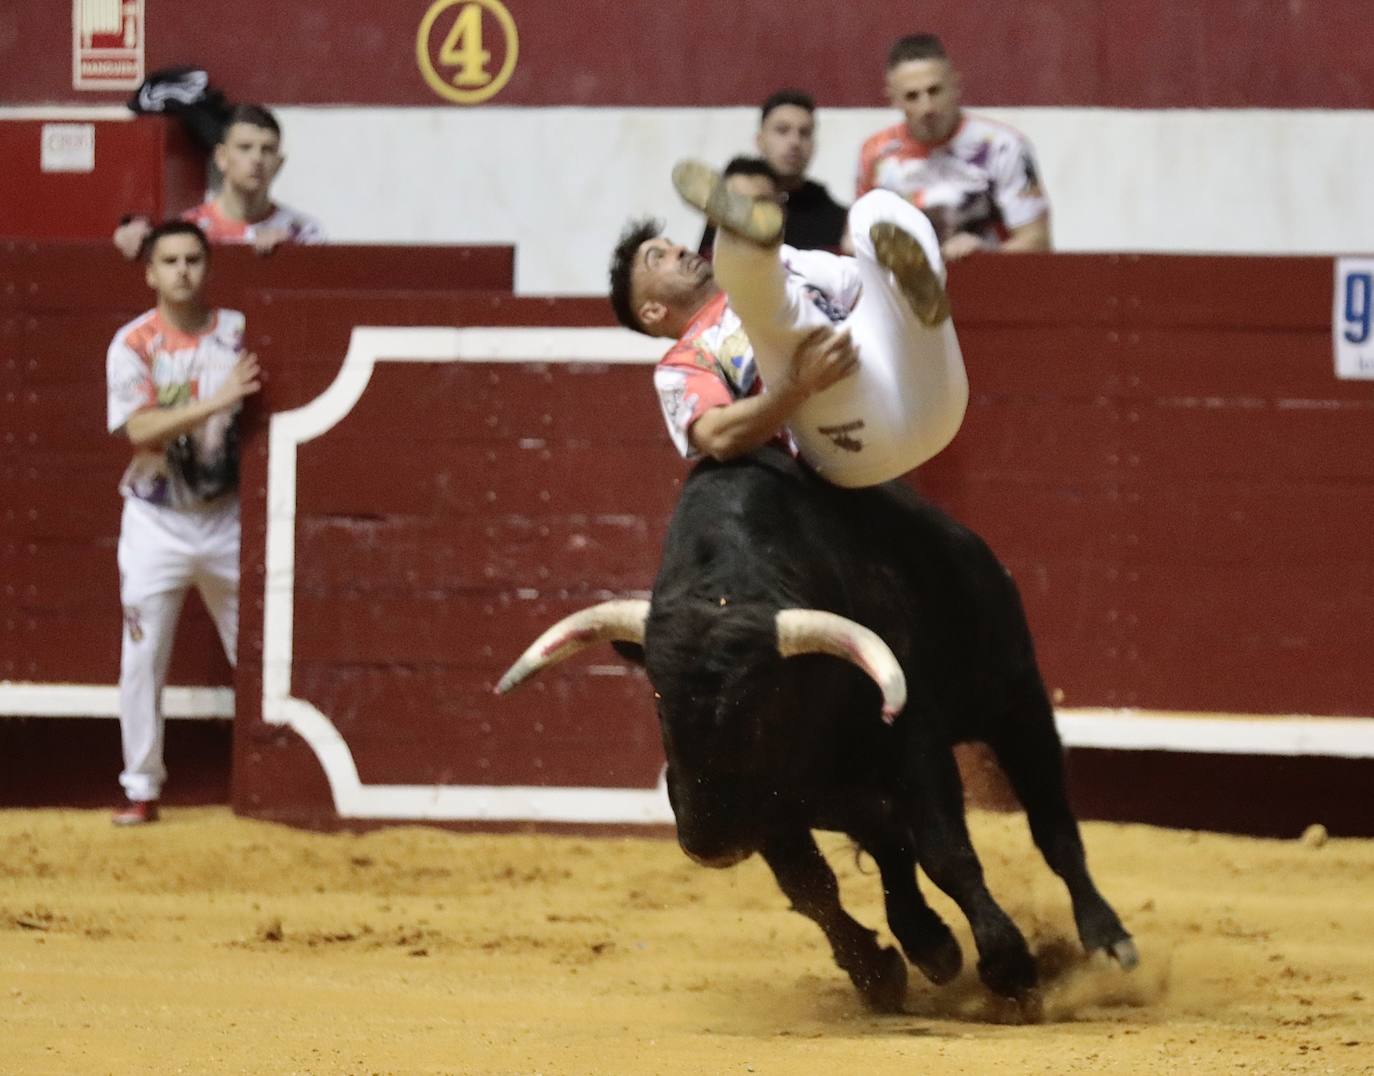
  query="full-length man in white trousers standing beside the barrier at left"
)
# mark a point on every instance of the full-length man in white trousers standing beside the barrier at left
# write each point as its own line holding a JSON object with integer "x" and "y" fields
{"x": 177, "y": 377}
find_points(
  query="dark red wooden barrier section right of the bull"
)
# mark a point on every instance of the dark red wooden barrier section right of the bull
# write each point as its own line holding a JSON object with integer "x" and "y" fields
{"x": 1160, "y": 451}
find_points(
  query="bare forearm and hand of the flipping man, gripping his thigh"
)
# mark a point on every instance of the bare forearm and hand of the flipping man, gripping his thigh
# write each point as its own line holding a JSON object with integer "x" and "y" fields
{"x": 822, "y": 359}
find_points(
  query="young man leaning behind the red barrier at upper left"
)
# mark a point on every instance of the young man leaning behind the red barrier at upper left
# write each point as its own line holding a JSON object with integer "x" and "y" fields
{"x": 248, "y": 157}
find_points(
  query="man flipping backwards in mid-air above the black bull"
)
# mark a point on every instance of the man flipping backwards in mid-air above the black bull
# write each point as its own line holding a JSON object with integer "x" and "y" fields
{"x": 855, "y": 357}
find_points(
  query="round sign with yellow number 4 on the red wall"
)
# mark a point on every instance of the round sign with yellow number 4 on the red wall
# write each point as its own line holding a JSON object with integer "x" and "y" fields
{"x": 460, "y": 68}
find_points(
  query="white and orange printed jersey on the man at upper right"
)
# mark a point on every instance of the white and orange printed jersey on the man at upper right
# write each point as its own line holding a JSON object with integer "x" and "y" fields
{"x": 983, "y": 179}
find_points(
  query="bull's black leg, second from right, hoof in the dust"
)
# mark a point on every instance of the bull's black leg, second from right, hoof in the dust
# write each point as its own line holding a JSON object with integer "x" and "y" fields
{"x": 947, "y": 857}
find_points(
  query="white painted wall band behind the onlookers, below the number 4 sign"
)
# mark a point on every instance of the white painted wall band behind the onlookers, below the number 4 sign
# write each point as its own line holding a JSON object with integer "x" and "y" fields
{"x": 1180, "y": 181}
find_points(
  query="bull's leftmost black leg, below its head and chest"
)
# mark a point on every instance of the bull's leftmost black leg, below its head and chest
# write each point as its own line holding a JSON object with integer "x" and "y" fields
{"x": 810, "y": 884}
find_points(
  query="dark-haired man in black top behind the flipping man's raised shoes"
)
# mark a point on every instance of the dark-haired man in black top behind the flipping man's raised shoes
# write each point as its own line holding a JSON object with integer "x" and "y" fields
{"x": 788, "y": 141}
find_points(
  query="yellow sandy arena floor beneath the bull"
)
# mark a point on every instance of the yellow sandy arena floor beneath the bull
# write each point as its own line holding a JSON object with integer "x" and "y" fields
{"x": 215, "y": 945}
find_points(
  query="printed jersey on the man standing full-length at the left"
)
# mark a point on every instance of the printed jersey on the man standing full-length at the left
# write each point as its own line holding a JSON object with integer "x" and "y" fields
{"x": 156, "y": 365}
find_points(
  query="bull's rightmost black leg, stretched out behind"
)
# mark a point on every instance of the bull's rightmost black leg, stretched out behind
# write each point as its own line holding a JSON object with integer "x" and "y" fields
{"x": 1030, "y": 752}
